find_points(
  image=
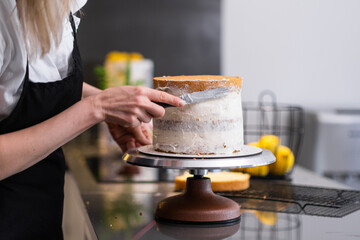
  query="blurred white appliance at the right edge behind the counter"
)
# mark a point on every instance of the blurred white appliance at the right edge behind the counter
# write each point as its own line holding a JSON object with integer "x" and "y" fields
{"x": 332, "y": 145}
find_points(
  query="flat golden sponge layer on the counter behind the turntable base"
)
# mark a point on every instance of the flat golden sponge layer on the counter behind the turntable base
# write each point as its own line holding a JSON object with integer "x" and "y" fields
{"x": 220, "y": 181}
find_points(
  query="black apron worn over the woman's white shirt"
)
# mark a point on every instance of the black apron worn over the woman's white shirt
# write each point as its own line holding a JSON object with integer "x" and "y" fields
{"x": 31, "y": 202}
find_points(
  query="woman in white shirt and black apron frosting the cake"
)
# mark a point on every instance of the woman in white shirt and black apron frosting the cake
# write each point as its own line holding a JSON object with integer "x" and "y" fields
{"x": 44, "y": 104}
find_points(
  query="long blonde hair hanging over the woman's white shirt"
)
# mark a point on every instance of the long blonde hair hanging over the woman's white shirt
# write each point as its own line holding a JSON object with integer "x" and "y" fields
{"x": 42, "y": 23}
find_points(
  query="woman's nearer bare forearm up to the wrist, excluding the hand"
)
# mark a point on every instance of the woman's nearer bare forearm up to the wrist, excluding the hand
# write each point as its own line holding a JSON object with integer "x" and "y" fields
{"x": 22, "y": 149}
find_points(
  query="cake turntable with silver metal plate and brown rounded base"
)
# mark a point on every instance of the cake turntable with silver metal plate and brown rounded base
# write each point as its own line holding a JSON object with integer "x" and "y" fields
{"x": 198, "y": 204}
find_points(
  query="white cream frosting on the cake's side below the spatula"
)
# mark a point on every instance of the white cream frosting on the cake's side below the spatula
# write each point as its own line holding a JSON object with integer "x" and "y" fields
{"x": 211, "y": 127}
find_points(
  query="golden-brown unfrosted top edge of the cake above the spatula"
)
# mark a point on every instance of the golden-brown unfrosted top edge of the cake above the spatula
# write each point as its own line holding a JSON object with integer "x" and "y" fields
{"x": 196, "y": 83}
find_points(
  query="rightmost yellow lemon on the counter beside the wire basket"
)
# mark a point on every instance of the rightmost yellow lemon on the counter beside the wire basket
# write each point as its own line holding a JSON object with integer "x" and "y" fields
{"x": 284, "y": 161}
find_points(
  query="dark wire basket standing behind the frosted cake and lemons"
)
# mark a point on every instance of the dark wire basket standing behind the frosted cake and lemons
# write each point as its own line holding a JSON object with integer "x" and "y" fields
{"x": 268, "y": 117}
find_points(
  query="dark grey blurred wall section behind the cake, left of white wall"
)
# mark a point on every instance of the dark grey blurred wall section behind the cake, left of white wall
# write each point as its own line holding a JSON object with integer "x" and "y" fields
{"x": 180, "y": 36}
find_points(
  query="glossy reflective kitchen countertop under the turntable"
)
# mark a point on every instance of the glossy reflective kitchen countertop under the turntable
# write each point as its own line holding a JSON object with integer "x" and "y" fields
{"x": 125, "y": 210}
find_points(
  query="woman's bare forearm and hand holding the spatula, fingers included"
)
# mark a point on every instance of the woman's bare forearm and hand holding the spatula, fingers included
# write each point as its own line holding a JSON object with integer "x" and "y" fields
{"x": 126, "y": 106}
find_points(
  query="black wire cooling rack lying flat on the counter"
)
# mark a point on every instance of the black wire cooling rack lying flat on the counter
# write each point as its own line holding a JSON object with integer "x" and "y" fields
{"x": 283, "y": 197}
